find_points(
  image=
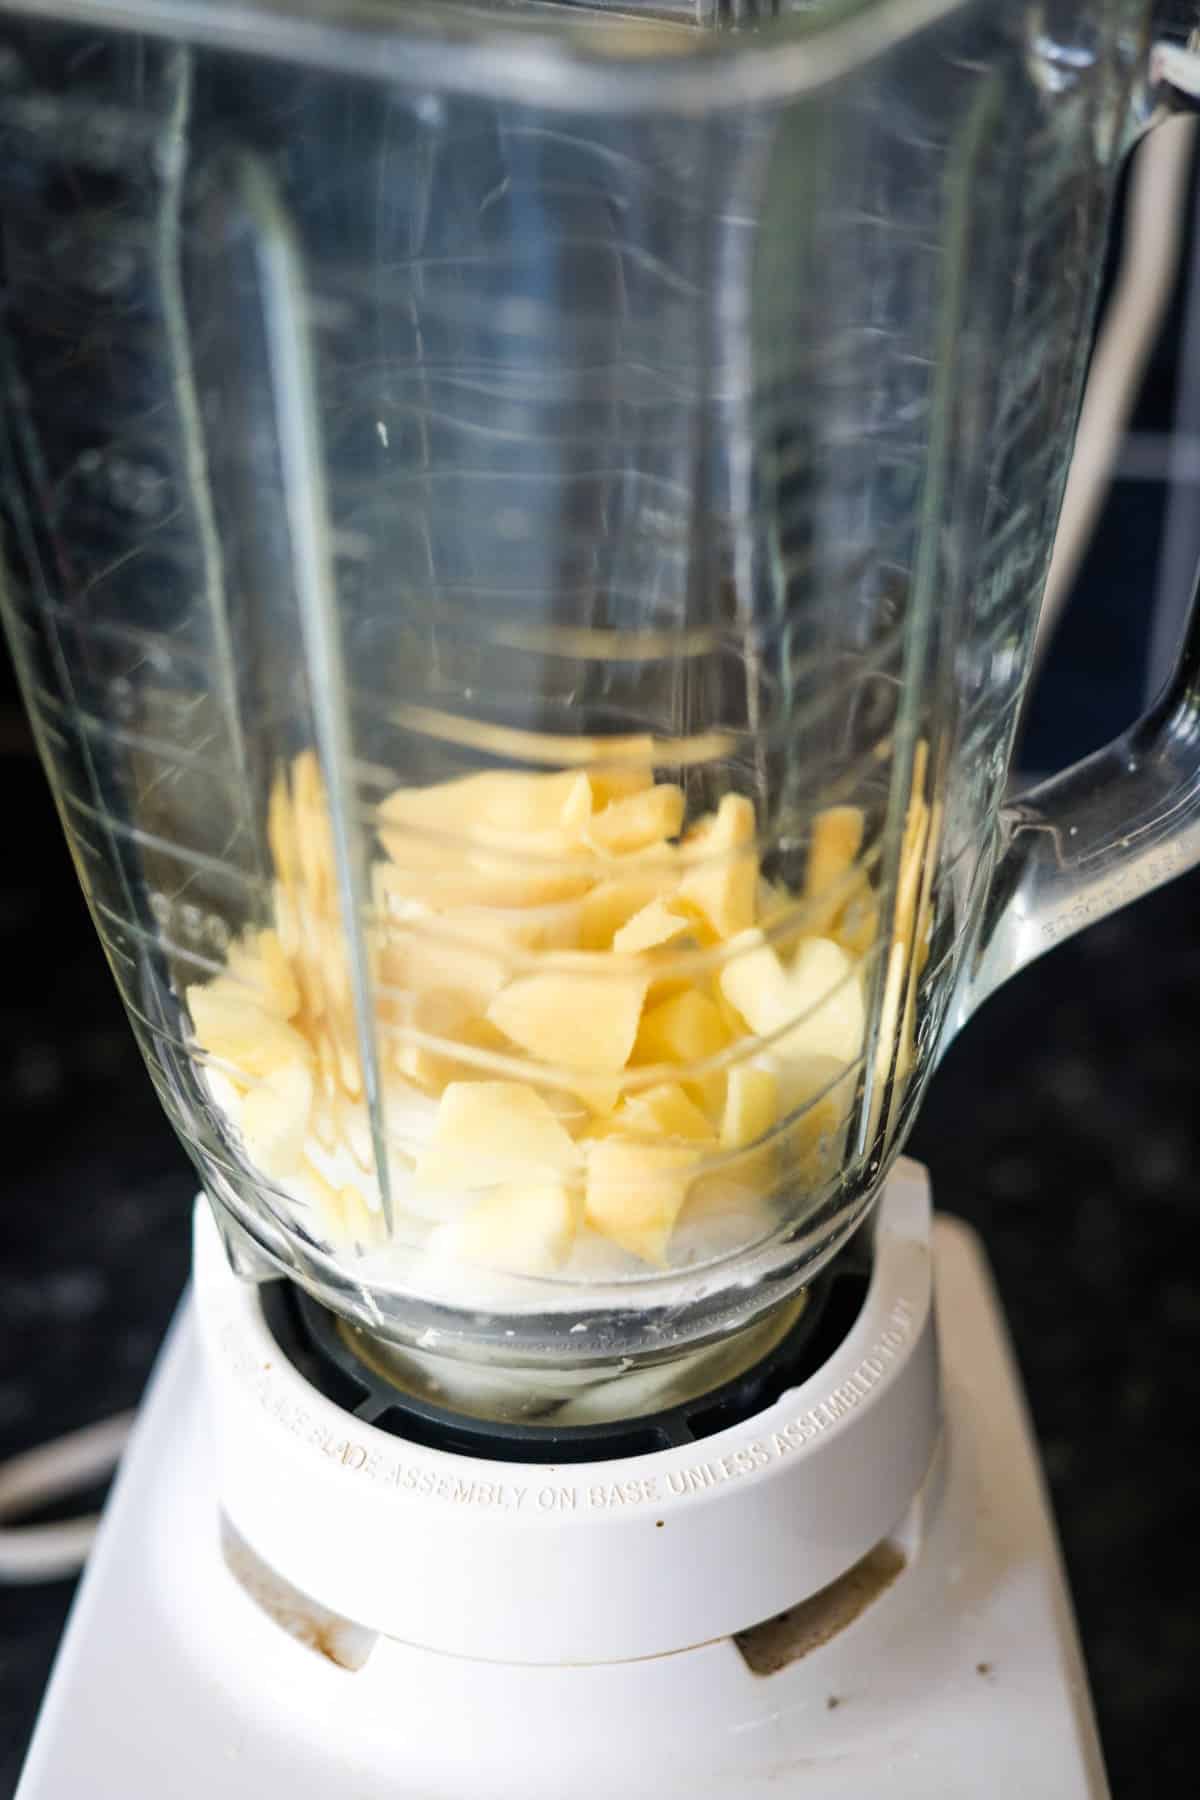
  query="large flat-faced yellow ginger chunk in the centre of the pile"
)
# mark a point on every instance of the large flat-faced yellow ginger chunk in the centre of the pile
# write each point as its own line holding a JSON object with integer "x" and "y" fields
{"x": 573, "y": 1020}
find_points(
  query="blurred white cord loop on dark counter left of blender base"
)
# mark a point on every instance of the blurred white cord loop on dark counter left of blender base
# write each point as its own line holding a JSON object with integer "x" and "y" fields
{"x": 48, "y": 1552}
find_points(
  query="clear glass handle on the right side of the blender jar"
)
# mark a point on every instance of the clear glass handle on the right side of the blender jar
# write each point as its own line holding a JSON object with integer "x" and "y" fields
{"x": 1125, "y": 820}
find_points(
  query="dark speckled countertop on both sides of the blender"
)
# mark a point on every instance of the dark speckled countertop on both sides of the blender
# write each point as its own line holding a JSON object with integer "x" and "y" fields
{"x": 1064, "y": 1124}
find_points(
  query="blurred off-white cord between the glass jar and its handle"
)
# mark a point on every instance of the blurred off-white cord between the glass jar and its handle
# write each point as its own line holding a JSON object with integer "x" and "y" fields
{"x": 1129, "y": 330}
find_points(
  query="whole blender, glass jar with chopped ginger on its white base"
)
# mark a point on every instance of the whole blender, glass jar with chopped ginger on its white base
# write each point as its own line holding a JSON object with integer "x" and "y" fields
{"x": 523, "y": 534}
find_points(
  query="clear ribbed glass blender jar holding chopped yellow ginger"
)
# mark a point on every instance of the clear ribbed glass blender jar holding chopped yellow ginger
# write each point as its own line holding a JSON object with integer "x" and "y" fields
{"x": 523, "y": 539}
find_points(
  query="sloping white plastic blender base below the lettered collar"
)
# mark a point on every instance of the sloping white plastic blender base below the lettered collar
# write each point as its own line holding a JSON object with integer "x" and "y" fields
{"x": 963, "y": 1678}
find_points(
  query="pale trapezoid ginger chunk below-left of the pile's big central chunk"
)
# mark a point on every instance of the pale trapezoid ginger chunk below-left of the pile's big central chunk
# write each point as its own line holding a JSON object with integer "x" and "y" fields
{"x": 490, "y": 1133}
